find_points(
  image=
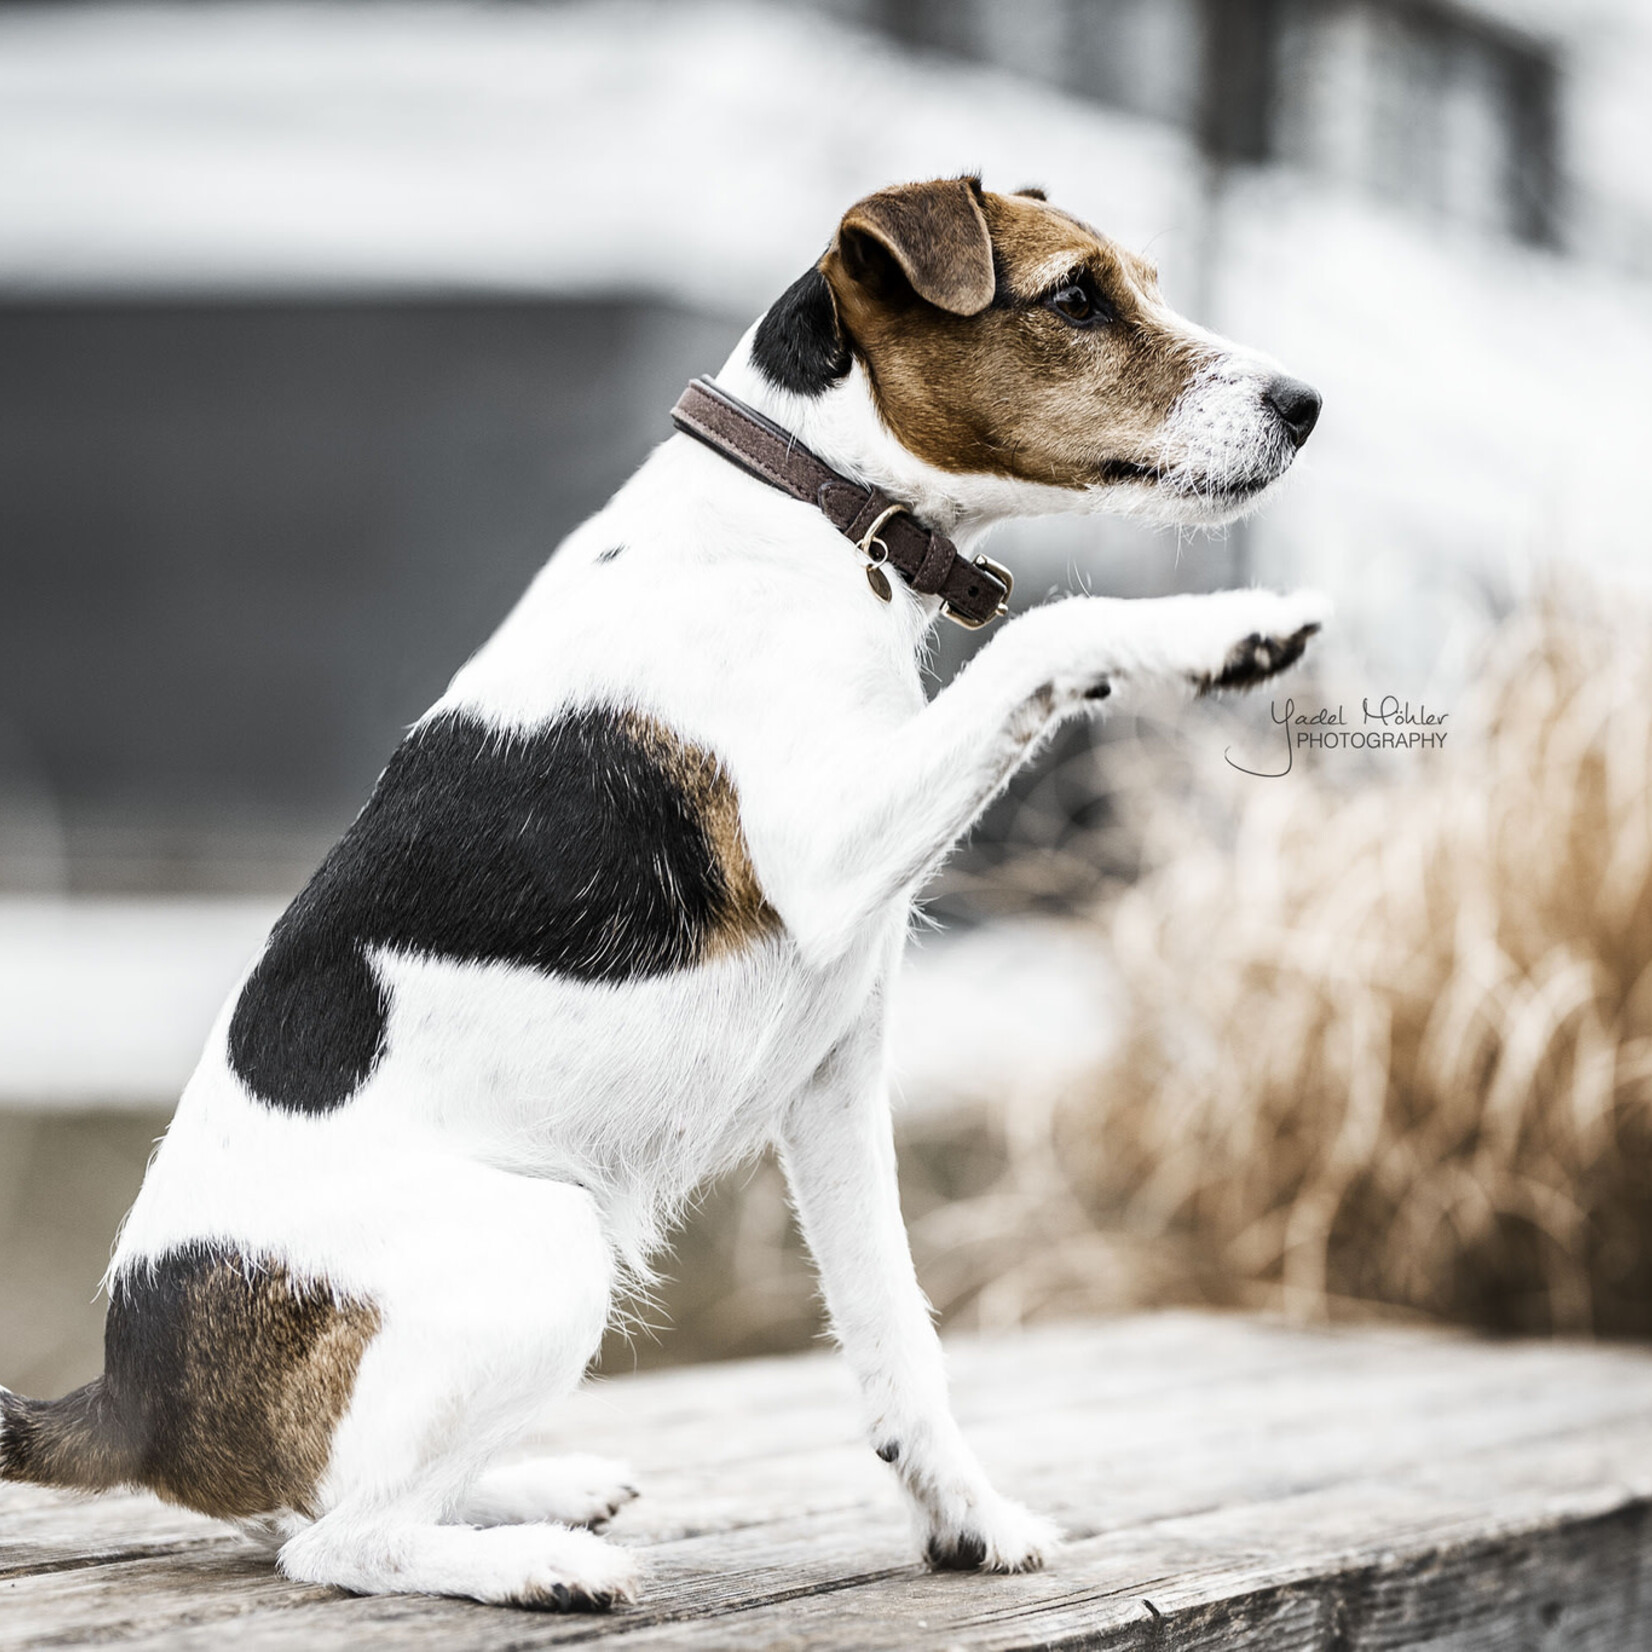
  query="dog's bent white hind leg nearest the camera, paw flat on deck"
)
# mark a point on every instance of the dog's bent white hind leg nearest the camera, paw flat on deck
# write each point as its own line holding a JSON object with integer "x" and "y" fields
{"x": 487, "y": 1316}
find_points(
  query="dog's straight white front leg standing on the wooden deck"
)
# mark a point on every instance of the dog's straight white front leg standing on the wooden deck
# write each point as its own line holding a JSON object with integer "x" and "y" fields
{"x": 840, "y": 1162}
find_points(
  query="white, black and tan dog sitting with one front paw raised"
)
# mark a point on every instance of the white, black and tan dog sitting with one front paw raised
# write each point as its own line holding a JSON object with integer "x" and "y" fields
{"x": 625, "y": 908}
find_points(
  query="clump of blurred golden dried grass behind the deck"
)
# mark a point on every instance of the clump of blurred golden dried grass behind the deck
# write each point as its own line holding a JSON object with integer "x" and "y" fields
{"x": 1395, "y": 1047}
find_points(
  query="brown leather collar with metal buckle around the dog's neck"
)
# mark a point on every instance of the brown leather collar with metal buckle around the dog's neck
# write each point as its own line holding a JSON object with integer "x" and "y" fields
{"x": 881, "y": 528}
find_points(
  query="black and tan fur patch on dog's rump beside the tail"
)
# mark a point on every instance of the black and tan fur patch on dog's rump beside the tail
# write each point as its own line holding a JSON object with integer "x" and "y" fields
{"x": 230, "y": 1380}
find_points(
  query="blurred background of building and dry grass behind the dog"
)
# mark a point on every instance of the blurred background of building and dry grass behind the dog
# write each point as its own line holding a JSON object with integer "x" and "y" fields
{"x": 321, "y": 325}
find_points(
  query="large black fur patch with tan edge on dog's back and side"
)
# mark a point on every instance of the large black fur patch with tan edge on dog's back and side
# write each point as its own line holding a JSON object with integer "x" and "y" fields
{"x": 587, "y": 850}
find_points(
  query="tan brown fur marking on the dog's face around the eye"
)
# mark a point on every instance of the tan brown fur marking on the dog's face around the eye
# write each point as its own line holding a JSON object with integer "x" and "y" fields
{"x": 1014, "y": 389}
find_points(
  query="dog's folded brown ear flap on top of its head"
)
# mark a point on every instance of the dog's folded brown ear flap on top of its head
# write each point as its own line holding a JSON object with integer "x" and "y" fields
{"x": 934, "y": 234}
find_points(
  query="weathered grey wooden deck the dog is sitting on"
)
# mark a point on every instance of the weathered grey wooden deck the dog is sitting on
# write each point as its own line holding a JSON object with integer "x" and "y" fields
{"x": 1225, "y": 1483}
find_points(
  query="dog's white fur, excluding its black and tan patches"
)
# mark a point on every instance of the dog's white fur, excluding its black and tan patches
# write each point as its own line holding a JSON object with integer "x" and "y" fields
{"x": 526, "y": 1139}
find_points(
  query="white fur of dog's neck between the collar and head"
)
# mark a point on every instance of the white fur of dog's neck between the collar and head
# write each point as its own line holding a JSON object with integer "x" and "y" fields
{"x": 843, "y": 427}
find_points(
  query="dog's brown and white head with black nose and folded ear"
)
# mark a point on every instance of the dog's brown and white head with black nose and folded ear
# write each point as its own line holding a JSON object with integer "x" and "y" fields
{"x": 1004, "y": 339}
